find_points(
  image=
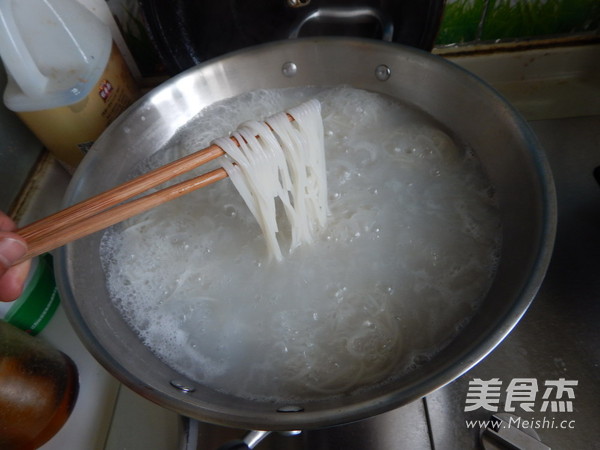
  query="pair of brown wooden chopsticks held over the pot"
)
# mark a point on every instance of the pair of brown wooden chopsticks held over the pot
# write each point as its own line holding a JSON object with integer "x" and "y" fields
{"x": 107, "y": 208}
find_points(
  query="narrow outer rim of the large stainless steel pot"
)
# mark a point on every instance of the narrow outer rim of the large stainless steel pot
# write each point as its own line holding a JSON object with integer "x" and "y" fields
{"x": 335, "y": 414}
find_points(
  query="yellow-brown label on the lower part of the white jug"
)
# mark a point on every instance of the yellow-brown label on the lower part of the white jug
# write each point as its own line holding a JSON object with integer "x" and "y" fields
{"x": 69, "y": 131}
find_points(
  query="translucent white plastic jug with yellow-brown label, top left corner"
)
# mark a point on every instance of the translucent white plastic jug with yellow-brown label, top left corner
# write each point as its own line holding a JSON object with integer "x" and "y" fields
{"x": 66, "y": 79}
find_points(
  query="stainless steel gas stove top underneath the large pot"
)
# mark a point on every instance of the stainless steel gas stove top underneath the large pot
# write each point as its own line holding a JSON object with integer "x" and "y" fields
{"x": 541, "y": 382}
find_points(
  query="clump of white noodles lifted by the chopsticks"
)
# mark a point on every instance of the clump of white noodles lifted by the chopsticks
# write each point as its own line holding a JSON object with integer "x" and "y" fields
{"x": 281, "y": 159}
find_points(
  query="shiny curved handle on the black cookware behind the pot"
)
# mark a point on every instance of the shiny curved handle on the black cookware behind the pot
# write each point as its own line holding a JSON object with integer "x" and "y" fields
{"x": 342, "y": 14}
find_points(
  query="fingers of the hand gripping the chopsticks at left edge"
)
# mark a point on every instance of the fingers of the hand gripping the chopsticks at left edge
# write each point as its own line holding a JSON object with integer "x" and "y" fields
{"x": 12, "y": 247}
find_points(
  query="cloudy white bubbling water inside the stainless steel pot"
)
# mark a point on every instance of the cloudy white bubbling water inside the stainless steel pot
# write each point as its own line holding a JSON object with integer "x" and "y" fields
{"x": 408, "y": 253}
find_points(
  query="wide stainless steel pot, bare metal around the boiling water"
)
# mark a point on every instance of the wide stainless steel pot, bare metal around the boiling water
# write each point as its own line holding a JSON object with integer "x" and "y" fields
{"x": 470, "y": 109}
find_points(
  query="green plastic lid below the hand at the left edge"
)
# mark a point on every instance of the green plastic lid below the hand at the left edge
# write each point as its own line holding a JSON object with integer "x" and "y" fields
{"x": 37, "y": 304}
